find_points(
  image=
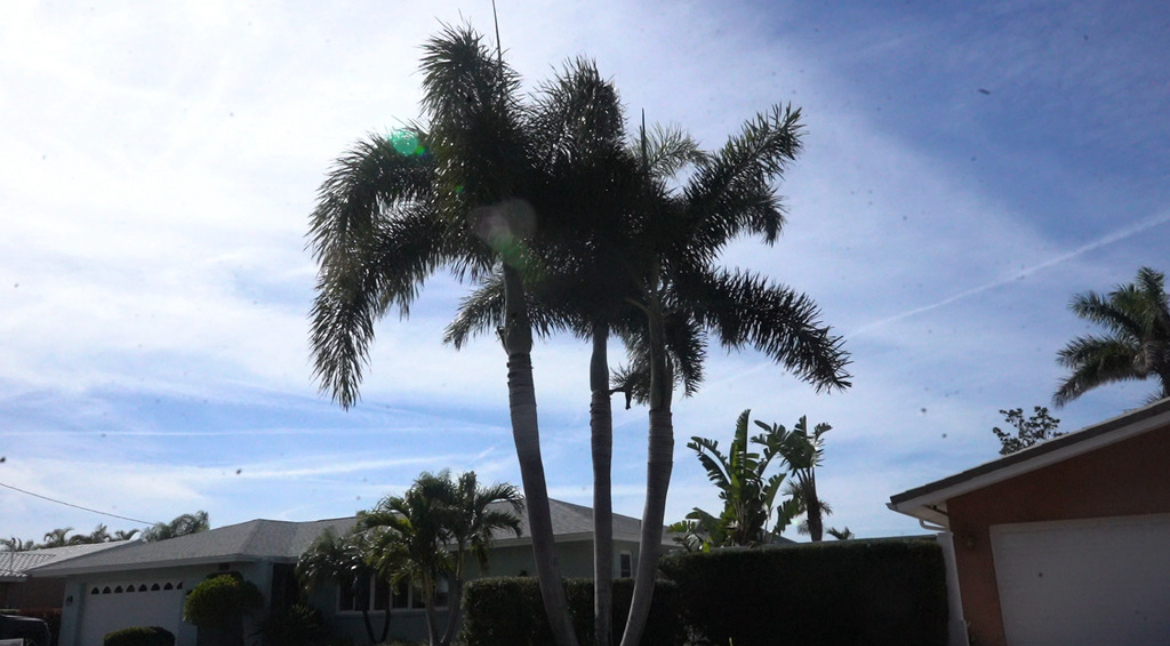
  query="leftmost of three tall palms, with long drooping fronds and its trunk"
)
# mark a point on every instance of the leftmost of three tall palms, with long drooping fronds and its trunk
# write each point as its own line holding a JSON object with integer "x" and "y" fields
{"x": 387, "y": 221}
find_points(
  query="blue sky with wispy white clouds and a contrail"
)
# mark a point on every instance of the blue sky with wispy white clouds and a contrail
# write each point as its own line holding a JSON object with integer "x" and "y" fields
{"x": 967, "y": 170}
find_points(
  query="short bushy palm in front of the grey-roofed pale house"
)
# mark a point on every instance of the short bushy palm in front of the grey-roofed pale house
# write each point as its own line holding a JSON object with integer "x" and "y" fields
{"x": 425, "y": 535}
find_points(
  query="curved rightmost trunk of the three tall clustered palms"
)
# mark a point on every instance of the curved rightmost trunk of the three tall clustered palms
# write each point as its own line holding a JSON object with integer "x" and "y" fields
{"x": 659, "y": 465}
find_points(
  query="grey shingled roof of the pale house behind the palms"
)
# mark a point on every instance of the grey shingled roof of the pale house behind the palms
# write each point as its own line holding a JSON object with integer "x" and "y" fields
{"x": 286, "y": 540}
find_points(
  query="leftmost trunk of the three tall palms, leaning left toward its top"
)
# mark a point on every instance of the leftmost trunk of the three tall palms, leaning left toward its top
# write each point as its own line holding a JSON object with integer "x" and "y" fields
{"x": 527, "y": 436}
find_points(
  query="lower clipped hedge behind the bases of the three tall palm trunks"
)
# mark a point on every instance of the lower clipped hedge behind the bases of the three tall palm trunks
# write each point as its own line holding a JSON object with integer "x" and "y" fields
{"x": 510, "y": 611}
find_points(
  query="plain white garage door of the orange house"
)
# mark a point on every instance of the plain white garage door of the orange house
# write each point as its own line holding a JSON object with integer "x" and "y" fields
{"x": 1071, "y": 583}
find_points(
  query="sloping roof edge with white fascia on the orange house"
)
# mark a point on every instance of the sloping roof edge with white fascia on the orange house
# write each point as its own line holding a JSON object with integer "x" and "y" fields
{"x": 928, "y": 503}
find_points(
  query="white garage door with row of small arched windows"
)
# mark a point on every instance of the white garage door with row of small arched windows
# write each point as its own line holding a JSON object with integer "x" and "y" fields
{"x": 109, "y": 607}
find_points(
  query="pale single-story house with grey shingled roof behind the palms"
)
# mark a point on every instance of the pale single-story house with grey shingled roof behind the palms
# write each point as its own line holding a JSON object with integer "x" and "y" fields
{"x": 144, "y": 585}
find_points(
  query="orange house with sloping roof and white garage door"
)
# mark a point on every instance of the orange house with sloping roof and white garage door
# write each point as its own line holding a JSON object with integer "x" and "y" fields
{"x": 1065, "y": 542}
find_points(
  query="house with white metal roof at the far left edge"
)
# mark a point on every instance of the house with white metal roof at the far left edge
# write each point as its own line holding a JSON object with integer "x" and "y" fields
{"x": 19, "y": 592}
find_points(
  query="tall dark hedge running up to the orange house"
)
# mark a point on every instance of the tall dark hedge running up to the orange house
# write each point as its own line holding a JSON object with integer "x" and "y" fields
{"x": 854, "y": 593}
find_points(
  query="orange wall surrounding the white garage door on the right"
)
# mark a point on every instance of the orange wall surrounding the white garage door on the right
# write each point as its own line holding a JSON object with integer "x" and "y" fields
{"x": 1126, "y": 479}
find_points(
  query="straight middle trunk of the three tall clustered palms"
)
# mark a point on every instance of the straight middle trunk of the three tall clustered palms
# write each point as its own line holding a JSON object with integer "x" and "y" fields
{"x": 602, "y": 428}
